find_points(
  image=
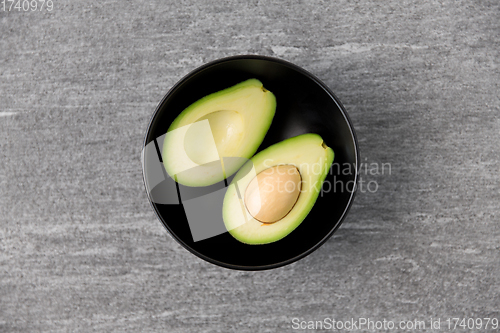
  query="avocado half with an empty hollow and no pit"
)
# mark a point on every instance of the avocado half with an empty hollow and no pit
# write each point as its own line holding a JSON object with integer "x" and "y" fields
{"x": 213, "y": 137}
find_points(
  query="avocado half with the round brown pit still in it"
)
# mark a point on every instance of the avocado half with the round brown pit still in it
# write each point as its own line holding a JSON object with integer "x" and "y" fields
{"x": 275, "y": 191}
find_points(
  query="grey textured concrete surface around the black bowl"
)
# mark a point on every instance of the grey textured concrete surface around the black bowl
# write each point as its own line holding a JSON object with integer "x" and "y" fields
{"x": 80, "y": 247}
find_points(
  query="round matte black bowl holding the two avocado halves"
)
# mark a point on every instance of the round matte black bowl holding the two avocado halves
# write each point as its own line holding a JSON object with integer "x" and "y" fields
{"x": 304, "y": 105}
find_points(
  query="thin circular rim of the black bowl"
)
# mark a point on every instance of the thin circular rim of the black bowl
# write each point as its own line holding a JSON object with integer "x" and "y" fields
{"x": 332, "y": 96}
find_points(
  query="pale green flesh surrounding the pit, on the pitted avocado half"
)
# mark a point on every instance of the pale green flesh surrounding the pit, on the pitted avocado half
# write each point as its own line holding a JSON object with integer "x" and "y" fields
{"x": 310, "y": 155}
